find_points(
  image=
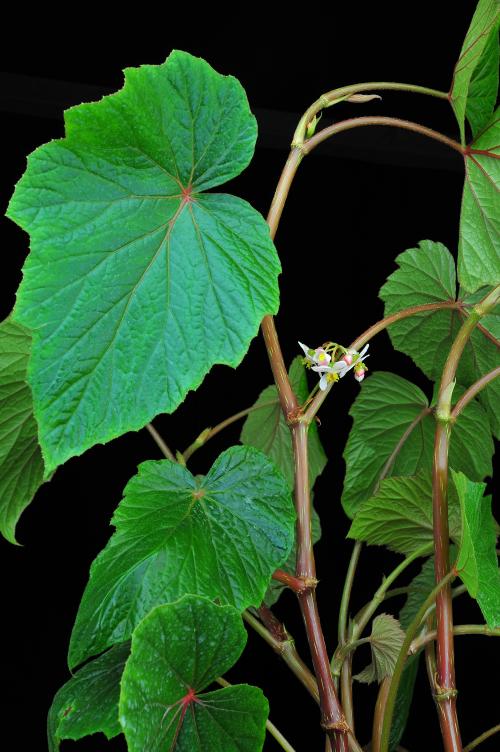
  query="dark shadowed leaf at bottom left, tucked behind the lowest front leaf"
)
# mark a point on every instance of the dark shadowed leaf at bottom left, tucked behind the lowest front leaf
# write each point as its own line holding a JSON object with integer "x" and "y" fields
{"x": 88, "y": 702}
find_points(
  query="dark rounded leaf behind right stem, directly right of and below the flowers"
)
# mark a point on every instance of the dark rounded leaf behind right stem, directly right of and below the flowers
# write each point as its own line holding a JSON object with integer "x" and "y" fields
{"x": 393, "y": 434}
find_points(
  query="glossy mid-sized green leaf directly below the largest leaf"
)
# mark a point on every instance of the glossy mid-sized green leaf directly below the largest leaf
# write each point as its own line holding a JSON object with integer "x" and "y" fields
{"x": 221, "y": 535}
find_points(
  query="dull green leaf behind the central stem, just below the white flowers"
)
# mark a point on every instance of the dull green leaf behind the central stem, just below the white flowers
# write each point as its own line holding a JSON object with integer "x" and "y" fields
{"x": 266, "y": 429}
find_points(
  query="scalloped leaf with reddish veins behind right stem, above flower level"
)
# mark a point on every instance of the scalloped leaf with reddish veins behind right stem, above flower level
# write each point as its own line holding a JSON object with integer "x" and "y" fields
{"x": 427, "y": 275}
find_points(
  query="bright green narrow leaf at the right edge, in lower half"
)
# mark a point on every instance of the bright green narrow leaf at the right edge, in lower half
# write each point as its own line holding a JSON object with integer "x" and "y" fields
{"x": 477, "y": 559}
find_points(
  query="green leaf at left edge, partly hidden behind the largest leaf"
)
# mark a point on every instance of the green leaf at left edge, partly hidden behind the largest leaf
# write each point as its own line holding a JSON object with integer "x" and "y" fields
{"x": 21, "y": 463}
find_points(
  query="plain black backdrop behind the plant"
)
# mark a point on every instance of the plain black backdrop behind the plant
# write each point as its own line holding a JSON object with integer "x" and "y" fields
{"x": 345, "y": 221}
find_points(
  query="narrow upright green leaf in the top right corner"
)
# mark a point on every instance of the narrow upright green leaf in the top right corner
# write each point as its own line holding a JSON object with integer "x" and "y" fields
{"x": 475, "y": 80}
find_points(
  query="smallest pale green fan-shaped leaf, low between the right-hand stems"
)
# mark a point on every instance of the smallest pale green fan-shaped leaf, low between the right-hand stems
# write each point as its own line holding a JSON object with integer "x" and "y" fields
{"x": 386, "y": 641}
